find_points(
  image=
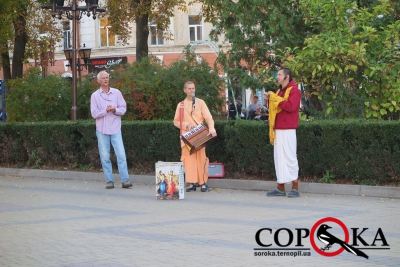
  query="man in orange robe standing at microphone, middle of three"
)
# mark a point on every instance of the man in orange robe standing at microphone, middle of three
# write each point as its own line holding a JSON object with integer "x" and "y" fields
{"x": 194, "y": 113}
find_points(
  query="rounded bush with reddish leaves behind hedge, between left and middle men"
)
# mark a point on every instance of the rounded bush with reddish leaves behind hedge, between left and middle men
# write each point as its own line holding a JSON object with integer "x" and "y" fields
{"x": 153, "y": 91}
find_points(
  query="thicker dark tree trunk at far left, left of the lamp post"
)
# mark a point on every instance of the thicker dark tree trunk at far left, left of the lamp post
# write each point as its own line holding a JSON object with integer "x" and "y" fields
{"x": 19, "y": 46}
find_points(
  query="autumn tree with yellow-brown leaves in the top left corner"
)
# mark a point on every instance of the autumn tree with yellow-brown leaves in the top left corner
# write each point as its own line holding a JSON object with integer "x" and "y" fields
{"x": 22, "y": 24}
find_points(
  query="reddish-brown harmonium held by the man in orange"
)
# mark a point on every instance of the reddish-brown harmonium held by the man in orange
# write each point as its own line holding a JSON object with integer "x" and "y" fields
{"x": 197, "y": 138}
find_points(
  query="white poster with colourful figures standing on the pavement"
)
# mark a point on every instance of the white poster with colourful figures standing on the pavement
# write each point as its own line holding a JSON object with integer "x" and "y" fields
{"x": 170, "y": 180}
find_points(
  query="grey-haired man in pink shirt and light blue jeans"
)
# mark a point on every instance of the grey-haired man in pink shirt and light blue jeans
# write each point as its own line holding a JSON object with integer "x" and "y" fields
{"x": 107, "y": 105}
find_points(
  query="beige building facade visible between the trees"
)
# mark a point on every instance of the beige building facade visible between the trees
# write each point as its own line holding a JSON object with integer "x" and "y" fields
{"x": 89, "y": 34}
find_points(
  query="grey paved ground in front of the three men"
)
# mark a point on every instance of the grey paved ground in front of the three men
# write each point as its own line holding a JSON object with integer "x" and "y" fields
{"x": 59, "y": 222}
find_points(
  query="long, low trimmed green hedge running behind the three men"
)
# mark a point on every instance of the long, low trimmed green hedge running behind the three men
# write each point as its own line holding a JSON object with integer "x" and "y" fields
{"x": 360, "y": 152}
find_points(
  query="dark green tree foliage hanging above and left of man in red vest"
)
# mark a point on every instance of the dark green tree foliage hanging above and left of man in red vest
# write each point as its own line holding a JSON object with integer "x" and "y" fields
{"x": 255, "y": 29}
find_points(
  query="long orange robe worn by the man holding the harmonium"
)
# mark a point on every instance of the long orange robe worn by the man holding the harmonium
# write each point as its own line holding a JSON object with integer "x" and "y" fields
{"x": 196, "y": 165}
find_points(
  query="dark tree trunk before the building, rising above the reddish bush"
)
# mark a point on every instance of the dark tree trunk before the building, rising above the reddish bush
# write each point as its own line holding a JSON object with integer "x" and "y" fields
{"x": 142, "y": 29}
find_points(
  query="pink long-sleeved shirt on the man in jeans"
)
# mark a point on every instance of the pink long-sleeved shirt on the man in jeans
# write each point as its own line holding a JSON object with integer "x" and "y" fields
{"x": 107, "y": 122}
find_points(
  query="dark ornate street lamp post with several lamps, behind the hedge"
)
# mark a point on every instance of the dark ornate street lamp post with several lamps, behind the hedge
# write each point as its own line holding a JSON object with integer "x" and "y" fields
{"x": 74, "y": 13}
